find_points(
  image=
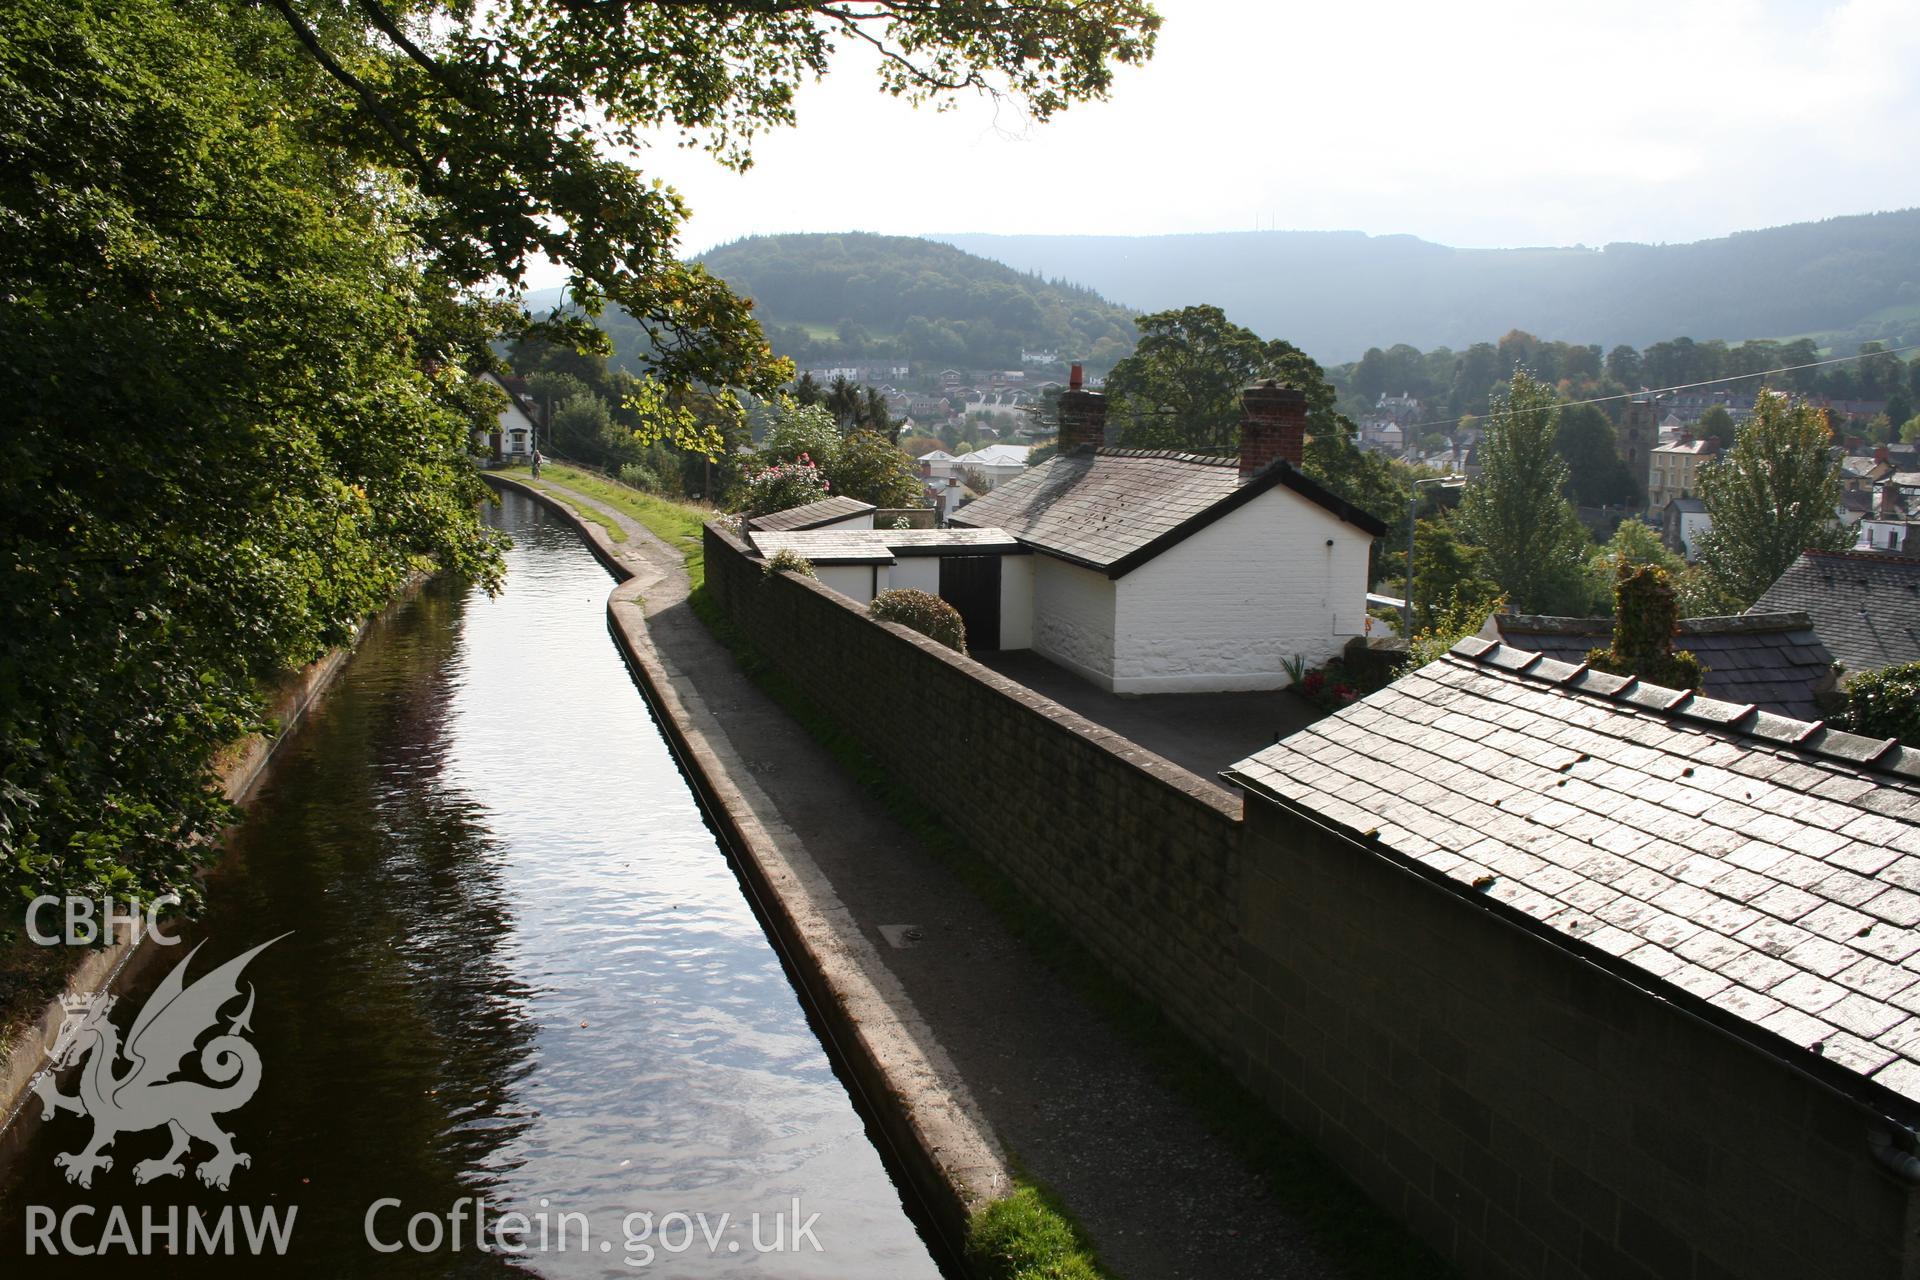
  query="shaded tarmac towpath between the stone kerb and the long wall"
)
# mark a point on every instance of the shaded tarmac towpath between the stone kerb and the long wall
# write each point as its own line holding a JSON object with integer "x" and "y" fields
{"x": 1068, "y": 1097}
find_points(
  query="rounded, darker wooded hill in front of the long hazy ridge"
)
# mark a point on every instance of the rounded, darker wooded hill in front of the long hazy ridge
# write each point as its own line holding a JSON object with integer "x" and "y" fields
{"x": 859, "y": 296}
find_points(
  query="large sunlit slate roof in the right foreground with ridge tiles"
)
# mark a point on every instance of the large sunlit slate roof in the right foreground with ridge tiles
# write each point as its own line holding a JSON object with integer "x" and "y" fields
{"x": 1758, "y": 870}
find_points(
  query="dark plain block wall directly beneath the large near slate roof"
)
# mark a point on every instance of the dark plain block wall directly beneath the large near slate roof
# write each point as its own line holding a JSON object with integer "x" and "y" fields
{"x": 1527, "y": 1112}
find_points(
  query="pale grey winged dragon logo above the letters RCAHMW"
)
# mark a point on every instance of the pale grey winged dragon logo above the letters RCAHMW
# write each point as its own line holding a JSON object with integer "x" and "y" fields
{"x": 145, "y": 1093}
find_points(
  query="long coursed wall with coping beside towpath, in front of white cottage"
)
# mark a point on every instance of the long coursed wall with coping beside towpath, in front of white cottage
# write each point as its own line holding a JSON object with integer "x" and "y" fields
{"x": 1138, "y": 857}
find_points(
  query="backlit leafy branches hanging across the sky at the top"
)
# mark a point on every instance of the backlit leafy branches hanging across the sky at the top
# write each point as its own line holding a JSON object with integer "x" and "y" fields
{"x": 516, "y": 124}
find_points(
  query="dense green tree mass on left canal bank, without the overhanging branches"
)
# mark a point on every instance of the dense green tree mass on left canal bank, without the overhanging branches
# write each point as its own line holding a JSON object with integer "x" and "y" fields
{"x": 237, "y": 423}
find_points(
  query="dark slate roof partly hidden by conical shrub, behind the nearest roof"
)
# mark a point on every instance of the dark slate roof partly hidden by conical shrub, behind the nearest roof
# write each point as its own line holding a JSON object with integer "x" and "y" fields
{"x": 1773, "y": 661}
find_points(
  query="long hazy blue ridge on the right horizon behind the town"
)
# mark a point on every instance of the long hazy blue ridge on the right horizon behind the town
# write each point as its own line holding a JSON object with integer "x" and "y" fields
{"x": 1335, "y": 295}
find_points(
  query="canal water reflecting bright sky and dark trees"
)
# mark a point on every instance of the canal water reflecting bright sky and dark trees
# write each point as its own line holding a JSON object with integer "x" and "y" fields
{"x": 512, "y": 970}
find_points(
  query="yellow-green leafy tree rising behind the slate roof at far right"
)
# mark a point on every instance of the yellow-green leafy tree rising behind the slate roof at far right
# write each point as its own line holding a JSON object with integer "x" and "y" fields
{"x": 1773, "y": 496}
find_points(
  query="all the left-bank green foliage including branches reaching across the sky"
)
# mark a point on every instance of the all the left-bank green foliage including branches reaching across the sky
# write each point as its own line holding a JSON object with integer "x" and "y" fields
{"x": 245, "y": 254}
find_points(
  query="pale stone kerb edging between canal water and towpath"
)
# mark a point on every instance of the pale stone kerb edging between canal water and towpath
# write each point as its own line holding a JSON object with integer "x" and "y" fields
{"x": 907, "y": 1079}
